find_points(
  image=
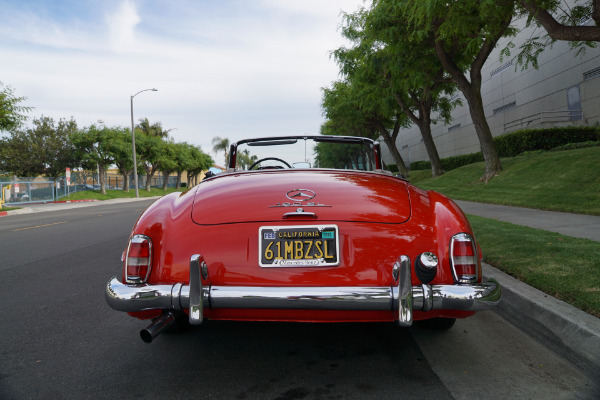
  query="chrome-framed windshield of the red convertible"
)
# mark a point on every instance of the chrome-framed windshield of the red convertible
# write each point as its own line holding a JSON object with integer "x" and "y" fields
{"x": 306, "y": 152}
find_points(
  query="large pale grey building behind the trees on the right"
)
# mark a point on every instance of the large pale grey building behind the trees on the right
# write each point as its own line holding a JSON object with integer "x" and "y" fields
{"x": 564, "y": 90}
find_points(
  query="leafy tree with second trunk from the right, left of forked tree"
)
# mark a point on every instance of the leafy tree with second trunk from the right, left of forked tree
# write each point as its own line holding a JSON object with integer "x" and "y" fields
{"x": 386, "y": 59}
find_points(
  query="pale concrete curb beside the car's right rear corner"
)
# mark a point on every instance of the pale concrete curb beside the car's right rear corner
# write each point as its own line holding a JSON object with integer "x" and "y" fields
{"x": 563, "y": 328}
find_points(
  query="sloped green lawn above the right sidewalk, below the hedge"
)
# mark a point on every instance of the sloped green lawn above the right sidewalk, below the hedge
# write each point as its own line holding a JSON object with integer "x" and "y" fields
{"x": 555, "y": 180}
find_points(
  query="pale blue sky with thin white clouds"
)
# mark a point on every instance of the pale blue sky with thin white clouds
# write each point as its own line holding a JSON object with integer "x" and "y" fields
{"x": 229, "y": 68}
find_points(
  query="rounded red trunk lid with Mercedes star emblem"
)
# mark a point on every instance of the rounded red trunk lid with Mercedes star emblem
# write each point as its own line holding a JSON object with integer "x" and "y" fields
{"x": 273, "y": 196}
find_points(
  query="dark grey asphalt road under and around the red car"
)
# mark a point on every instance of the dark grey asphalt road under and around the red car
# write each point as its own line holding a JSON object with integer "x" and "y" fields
{"x": 58, "y": 338}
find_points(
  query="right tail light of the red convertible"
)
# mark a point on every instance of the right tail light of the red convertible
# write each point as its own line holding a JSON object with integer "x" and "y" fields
{"x": 463, "y": 258}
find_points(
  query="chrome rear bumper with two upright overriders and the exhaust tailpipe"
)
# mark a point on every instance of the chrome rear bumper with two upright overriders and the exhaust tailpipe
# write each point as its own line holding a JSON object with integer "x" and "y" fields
{"x": 401, "y": 297}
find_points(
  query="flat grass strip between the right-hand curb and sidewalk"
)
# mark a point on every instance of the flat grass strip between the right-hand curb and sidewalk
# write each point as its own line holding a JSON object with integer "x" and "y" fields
{"x": 565, "y": 267}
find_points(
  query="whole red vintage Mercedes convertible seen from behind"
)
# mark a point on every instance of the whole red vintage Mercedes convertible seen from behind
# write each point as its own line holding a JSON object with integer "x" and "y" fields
{"x": 307, "y": 229}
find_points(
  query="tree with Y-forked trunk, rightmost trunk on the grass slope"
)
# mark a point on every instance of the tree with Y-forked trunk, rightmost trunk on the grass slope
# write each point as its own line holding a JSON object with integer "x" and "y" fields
{"x": 463, "y": 34}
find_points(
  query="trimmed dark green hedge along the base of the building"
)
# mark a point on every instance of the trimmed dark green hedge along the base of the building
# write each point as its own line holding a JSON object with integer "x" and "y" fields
{"x": 515, "y": 143}
